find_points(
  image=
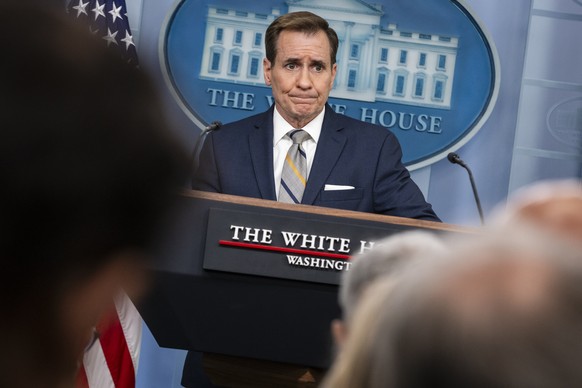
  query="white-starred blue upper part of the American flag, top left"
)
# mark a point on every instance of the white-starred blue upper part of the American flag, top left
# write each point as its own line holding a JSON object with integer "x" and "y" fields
{"x": 108, "y": 20}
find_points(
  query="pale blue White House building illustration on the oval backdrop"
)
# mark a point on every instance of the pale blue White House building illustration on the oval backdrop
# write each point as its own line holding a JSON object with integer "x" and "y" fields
{"x": 375, "y": 62}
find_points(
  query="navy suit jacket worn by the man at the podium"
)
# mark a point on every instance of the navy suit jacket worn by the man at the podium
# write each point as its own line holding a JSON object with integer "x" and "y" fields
{"x": 238, "y": 159}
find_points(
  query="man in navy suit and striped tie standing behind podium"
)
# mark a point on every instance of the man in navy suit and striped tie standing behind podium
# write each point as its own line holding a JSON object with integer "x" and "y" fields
{"x": 349, "y": 164}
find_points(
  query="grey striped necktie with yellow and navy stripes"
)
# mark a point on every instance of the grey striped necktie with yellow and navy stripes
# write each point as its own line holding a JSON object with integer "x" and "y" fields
{"x": 294, "y": 174}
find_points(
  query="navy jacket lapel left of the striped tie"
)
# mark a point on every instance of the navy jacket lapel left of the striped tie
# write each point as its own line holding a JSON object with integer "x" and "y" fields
{"x": 261, "y": 149}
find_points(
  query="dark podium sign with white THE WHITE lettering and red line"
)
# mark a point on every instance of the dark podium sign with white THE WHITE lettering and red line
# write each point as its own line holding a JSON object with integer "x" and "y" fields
{"x": 285, "y": 247}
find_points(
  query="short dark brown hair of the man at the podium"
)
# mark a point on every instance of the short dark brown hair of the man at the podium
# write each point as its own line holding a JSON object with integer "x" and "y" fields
{"x": 303, "y": 21}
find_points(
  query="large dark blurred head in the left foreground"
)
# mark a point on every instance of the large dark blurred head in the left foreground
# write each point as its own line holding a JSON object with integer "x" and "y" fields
{"x": 88, "y": 172}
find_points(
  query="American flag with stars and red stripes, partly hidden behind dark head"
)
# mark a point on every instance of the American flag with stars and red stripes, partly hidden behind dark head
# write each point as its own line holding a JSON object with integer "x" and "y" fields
{"x": 111, "y": 362}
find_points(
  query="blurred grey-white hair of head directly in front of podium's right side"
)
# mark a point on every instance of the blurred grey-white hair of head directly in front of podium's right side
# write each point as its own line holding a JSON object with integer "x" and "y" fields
{"x": 388, "y": 257}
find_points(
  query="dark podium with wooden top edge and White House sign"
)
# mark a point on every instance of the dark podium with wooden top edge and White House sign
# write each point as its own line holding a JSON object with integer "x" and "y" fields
{"x": 231, "y": 281}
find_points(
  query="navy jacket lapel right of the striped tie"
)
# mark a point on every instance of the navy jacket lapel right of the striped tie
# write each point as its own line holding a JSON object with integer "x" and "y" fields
{"x": 329, "y": 148}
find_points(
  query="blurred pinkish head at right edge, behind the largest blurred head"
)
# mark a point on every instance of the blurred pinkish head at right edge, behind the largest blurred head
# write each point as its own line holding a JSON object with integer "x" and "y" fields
{"x": 555, "y": 206}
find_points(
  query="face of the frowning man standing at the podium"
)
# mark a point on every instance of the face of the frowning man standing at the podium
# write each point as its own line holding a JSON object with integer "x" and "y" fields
{"x": 301, "y": 77}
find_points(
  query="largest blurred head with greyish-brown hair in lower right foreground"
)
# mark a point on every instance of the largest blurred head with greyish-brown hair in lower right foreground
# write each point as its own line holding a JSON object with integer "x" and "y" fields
{"x": 503, "y": 312}
